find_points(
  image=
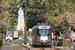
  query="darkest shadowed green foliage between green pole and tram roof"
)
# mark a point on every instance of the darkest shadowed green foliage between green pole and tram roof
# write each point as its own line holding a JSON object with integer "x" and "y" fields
{"x": 31, "y": 20}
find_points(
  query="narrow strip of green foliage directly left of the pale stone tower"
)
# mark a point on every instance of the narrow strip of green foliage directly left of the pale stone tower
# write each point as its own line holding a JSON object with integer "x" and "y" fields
{"x": 13, "y": 13}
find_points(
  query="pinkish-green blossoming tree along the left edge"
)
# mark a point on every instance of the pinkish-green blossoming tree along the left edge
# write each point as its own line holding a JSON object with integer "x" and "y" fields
{"x": 4, "y": 16}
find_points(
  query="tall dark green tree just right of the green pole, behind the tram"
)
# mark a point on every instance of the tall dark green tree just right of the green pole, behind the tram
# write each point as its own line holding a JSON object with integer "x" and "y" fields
{"x": 32, "y": 10}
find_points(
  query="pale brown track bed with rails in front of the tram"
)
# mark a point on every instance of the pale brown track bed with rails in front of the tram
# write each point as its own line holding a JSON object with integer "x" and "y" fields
{"x": 25, "y": 47}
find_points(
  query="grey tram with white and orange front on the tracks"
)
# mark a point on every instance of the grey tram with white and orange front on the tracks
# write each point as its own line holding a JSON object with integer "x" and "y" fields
{"x": 42, "y": 35}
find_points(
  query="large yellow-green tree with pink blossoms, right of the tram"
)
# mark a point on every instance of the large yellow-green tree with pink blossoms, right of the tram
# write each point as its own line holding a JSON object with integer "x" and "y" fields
{"x": 60, "y": 15}
